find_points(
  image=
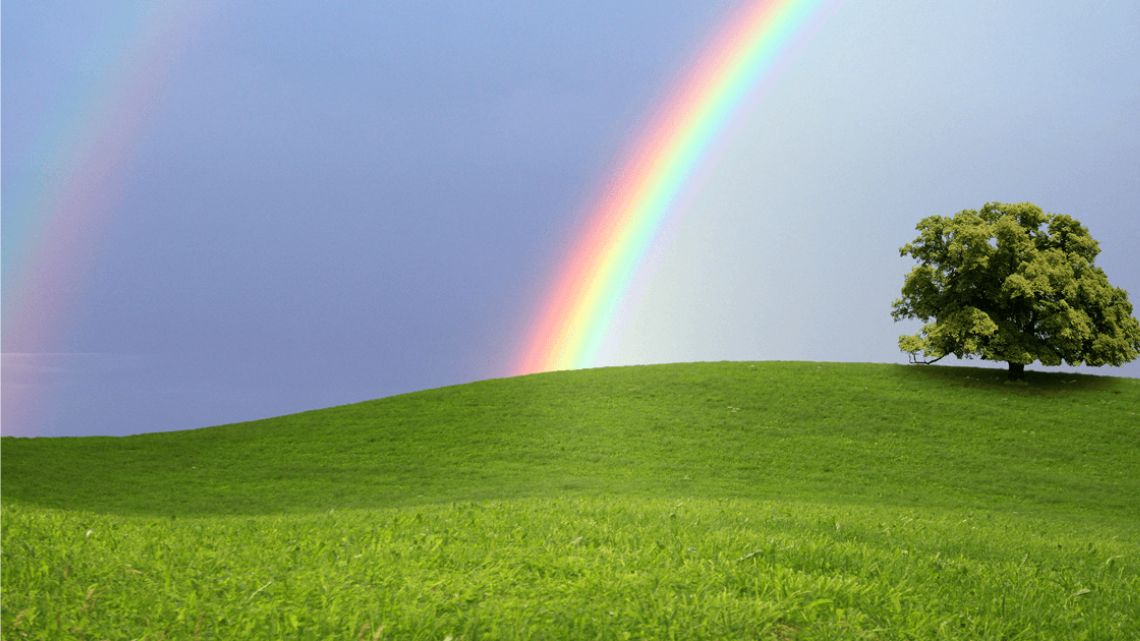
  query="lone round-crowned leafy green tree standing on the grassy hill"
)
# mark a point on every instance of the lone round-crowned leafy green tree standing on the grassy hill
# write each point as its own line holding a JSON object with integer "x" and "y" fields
{"x": 1012, "y": 283}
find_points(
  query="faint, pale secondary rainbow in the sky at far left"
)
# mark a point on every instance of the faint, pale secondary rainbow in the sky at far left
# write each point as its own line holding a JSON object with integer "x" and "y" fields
{"x": 83, "y": 153}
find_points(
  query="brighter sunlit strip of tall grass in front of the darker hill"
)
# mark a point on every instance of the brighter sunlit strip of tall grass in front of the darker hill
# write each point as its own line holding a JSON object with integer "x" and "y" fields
{"x": 569, "y": 569}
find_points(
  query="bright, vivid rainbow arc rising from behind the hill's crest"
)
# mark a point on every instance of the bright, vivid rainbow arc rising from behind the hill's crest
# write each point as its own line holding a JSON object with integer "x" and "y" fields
{"x": 593, "y": 280}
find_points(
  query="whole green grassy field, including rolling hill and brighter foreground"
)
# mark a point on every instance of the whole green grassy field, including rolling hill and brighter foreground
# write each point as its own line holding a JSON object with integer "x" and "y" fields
{"x": 701, "y": 501}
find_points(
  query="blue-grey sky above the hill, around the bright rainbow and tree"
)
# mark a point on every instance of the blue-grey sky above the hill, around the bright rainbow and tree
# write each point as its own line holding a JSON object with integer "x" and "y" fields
{"x": 289, "y": 206}
